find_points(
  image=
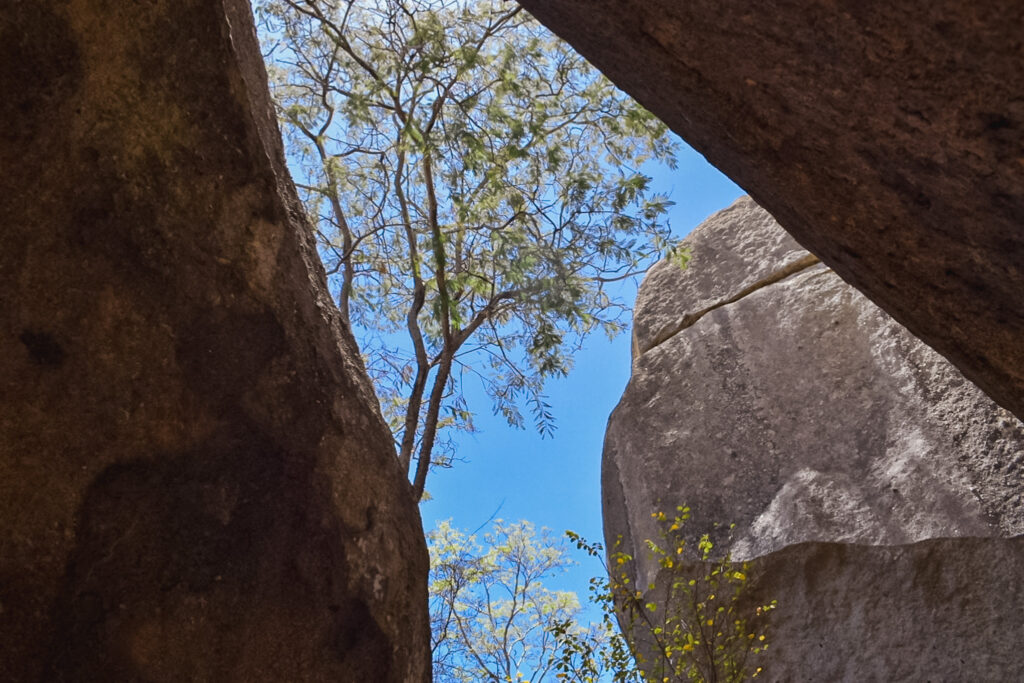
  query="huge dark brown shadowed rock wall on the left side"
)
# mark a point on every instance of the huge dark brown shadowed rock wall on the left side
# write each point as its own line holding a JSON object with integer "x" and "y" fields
{"x": 195, "y": 485}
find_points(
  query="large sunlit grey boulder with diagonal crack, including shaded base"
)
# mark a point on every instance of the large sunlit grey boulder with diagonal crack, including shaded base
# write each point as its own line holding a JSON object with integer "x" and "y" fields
{"x": 874, "y": 486}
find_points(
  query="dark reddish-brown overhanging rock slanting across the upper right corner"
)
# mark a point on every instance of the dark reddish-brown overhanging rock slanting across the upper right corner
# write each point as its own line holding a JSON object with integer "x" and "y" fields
{"x": 888, "y": 139}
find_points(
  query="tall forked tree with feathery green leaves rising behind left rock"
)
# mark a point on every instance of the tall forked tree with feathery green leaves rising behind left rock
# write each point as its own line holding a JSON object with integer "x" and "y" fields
{"x": 476, "y": 187}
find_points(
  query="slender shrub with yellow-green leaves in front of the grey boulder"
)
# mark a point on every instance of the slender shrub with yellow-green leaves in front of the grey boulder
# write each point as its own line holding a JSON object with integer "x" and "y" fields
{"x": 690, "y": 624}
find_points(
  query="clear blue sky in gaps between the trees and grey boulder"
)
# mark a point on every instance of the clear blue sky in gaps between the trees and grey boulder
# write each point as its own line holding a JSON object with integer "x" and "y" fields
{"x": 556, "y": 483}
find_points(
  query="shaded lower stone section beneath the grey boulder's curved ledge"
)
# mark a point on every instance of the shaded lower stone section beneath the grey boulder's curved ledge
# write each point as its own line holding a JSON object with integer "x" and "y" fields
{"x": 946, "y": 610}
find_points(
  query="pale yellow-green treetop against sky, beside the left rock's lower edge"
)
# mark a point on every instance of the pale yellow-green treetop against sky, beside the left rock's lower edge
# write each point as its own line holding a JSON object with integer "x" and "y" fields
{"x": 492, "y": 617}
